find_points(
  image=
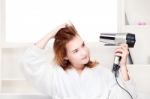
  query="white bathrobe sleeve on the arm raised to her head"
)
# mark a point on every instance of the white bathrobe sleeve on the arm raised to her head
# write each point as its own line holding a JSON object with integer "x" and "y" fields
{"x": 37, "y": 69}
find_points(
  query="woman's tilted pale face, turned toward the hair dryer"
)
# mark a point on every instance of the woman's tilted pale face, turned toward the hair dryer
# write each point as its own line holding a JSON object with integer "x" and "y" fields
{"x": 77, "y": 52}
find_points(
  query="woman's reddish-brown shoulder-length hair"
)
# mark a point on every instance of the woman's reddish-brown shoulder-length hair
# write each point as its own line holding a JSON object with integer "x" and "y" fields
{"x": 63, "y": 36}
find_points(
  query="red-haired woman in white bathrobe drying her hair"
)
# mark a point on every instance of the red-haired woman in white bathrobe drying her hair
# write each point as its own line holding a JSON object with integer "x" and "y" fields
{"x": 74, "y": 75}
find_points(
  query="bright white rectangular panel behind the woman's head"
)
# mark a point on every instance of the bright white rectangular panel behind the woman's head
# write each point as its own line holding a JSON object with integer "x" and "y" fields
{"x": 28, "y": 20}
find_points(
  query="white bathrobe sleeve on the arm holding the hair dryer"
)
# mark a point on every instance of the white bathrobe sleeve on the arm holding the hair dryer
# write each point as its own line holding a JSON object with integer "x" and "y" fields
{"x": 115, "y": 92}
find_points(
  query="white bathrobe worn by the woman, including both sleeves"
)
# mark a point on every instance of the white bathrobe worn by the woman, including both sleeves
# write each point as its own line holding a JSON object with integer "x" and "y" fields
{"x": 93, "y": 83}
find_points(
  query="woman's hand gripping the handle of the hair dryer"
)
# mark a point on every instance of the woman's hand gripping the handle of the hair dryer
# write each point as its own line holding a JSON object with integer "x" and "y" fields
{"x": 122, "y": 51}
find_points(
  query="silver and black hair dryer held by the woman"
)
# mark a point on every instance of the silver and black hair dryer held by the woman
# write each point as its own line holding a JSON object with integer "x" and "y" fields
{"x": 113, "y": 39}
